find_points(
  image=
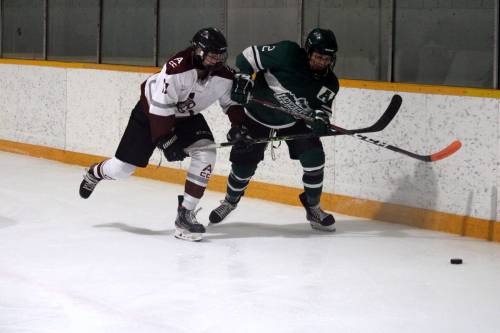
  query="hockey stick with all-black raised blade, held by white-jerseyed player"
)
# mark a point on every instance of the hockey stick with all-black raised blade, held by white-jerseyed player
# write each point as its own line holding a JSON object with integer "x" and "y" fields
{"x": 379, "y": 125}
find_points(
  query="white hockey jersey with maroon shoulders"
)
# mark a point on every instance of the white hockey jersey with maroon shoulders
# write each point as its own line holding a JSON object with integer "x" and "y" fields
{"x": 177, "y": 91}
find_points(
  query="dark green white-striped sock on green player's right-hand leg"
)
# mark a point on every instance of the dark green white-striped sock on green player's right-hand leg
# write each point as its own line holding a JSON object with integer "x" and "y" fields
{"x": 313, "y": 163}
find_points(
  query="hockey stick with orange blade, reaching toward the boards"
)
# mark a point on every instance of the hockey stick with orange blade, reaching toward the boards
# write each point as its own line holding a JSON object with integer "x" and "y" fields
{"x": 443, "y": 153}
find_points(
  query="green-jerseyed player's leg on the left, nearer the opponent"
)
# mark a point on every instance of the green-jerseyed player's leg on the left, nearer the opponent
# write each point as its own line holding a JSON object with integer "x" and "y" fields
{"x": 244, "y": 163}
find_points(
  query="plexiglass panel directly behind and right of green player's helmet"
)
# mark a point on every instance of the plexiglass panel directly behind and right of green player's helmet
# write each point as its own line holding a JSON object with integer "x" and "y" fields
{"x": 362, "y": 29}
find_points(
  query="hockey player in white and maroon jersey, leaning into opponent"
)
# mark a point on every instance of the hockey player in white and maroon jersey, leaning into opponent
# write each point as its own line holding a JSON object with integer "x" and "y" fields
{"x": 167, "y": 117}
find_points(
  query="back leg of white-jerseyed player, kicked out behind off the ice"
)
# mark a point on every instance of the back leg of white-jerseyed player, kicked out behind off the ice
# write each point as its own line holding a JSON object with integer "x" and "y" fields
{"x": 134, "y": 150}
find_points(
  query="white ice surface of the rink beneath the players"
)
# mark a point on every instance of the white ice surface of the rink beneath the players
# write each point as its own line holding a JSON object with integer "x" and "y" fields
{"x": 111, "y": 264}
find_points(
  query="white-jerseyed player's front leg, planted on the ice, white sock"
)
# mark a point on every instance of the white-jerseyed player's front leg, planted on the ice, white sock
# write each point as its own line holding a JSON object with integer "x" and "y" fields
{"x": 194, "y": 131}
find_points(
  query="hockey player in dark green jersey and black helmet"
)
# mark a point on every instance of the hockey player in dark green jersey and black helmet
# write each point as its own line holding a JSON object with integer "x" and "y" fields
{"x": 300, "y": 80}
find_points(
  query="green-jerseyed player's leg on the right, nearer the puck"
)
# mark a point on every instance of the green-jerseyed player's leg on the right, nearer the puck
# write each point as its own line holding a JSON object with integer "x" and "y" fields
{"x": 312, "y": 158}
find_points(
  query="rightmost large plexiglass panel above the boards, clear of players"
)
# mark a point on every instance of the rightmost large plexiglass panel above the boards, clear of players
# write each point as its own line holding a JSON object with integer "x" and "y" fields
{"x": 444, "y": 42}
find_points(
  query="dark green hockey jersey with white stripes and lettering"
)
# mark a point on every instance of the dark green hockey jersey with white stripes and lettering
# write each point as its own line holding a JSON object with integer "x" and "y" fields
{"x": 283, "y": 78}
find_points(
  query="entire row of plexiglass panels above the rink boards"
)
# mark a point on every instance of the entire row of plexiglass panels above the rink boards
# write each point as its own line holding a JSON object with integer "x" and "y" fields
{"x": 442, "y": 42}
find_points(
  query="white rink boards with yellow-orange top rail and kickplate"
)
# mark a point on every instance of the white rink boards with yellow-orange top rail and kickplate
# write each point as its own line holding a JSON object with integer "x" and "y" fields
{"x": 76, "y": 113}
